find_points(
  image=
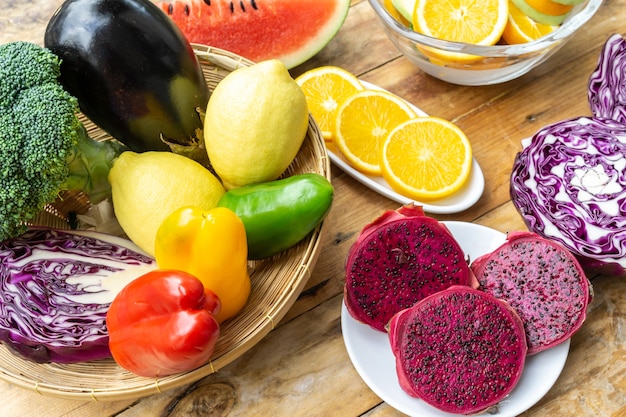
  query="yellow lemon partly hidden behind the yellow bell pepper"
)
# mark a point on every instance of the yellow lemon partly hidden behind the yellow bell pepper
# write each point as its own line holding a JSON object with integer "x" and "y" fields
{"x": 147, "y": 187}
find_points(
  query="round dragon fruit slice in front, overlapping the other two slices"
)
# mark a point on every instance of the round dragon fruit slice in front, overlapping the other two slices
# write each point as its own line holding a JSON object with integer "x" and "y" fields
{"x": 460, "y": 350}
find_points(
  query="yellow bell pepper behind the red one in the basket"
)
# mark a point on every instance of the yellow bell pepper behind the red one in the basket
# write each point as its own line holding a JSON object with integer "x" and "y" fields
{"x": 211, "y": 245}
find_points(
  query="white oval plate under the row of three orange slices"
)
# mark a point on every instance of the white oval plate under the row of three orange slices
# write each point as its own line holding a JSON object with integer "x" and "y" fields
{"x": 459, "y": 201}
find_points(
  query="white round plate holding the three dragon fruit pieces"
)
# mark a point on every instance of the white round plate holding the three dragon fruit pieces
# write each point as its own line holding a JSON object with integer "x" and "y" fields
{"x": 371, "y": 355}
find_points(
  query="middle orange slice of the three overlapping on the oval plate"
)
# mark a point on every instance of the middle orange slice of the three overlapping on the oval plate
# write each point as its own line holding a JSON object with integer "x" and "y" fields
{"x": 363, "y": 121}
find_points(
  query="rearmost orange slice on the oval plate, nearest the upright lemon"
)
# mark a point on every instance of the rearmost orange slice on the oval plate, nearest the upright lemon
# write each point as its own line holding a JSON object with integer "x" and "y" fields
{"x": 324, "y": 88}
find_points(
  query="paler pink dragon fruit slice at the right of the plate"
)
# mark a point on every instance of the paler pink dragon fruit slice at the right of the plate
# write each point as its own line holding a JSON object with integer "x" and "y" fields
{"x": 542, "y": 281}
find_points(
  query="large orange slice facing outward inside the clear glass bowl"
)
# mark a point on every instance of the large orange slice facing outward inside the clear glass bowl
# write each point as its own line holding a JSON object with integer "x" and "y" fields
{"x": 468, "y": 21}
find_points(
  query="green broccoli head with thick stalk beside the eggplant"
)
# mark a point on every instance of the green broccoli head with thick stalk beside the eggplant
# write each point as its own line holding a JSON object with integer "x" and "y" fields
{"x": 44, "y": 147}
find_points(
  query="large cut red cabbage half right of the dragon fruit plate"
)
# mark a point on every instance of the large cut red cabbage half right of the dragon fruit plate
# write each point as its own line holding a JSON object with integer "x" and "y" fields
{"x": 569, "y": 184}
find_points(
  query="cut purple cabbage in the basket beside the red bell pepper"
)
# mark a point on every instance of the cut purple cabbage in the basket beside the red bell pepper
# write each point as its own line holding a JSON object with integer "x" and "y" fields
{"x": 55, "y": 289}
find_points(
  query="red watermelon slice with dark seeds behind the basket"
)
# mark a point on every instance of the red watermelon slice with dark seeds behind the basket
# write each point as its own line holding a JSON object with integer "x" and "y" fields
{"x": 290, "y": 30}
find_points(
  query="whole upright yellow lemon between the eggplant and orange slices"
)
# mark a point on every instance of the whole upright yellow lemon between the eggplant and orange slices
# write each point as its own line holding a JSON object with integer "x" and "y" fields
{"x": 255, "y": 123}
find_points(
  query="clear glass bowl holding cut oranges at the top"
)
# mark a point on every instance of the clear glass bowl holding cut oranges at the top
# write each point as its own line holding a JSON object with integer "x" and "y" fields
{"x": 473, "y": 65}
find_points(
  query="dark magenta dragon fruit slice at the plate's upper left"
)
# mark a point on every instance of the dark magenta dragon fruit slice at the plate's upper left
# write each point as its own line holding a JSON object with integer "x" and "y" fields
{"x": 400, "y": 258}
